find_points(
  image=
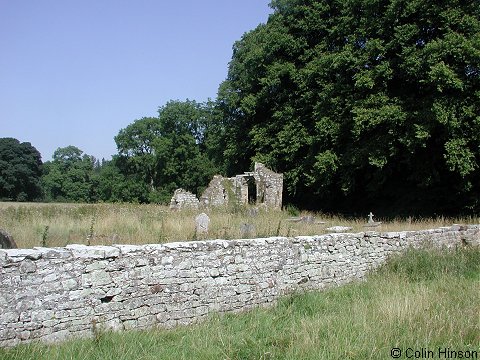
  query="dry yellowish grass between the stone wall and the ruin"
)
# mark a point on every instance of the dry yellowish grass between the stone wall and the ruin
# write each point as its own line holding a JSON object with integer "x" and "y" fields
{"x": 105, "y": 224}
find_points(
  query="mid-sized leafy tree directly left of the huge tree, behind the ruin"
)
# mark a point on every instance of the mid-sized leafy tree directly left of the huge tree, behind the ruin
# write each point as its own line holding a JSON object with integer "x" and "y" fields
{"x": 166, "y": 152}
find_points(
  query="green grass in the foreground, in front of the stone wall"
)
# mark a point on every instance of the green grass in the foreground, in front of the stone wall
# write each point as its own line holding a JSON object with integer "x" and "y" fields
{"x": 422, "y": 299}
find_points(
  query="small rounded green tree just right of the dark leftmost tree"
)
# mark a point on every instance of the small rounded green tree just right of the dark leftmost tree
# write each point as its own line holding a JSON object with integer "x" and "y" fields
{"x": 70, "y": 176}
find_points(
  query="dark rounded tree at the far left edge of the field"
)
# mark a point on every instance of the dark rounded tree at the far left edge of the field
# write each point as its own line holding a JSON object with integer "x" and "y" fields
{"x": 20, "y": 171}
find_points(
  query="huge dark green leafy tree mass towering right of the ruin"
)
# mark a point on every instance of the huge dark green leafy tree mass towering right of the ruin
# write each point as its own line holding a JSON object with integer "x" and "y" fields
{"x": 362, "y": 104}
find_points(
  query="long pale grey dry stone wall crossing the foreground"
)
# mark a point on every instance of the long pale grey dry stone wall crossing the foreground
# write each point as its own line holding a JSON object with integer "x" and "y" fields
{"x": 52, "y": 294}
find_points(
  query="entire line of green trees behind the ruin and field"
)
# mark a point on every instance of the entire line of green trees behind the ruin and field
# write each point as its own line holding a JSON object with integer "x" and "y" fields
{"x": 361, "y": 104}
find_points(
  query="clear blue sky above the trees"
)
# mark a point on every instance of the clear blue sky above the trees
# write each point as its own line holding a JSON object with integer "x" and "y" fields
{"x": 76, "y": 72}
